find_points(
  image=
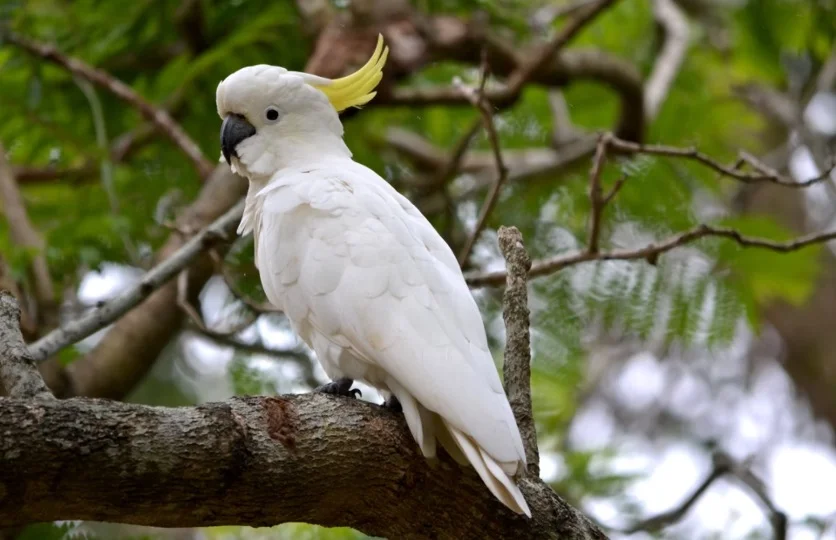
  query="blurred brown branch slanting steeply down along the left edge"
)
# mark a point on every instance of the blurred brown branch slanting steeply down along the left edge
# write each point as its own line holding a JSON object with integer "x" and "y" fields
{"x": 25, "y": 235}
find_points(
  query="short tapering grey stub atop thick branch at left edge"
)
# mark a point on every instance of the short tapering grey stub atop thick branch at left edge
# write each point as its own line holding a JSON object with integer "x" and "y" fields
{"x": 18, "y": 373}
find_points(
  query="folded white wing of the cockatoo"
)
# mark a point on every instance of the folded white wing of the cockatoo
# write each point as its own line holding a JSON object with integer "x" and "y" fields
{"x": 359, "y": 263}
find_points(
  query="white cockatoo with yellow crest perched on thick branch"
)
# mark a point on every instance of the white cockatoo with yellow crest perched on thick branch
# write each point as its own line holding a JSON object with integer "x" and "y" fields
{"x": 363, "y": 277}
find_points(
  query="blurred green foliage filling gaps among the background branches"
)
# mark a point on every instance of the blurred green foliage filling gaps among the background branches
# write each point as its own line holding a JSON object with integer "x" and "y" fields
{"x": 693, "y": 297}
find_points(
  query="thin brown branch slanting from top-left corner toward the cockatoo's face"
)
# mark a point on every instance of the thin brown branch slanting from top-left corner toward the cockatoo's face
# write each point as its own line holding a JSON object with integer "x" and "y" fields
{"x": 161, "y": 119}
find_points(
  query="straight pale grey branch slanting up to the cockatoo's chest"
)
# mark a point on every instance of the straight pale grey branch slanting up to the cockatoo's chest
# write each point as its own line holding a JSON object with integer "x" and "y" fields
{"x": 100, "y": 317}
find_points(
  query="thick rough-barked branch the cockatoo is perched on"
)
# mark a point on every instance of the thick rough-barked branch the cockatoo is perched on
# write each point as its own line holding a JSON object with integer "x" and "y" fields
{"x": 253, "y": 461}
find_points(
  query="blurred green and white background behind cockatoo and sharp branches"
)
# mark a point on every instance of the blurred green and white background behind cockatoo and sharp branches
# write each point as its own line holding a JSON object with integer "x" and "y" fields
{"x": 691, "y": 398}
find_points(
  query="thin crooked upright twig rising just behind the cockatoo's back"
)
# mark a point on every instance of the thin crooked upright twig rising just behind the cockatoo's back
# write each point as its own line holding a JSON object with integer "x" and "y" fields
{"x": 478, "y": 100}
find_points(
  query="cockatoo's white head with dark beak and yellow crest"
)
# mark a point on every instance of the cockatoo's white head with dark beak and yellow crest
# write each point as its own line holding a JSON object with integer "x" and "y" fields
{"x": 269, "y": 112}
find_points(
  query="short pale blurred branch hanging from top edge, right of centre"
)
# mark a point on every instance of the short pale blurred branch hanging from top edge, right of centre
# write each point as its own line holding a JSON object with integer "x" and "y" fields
{"x": 675, "y": 27}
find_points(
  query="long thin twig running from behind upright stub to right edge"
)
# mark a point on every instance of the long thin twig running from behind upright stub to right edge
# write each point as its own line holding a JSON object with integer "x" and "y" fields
{"x": 651, "y": 252}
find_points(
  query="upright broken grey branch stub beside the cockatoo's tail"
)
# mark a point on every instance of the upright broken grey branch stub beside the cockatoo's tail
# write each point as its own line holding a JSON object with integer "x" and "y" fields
{"x": 517, "y": 365}
